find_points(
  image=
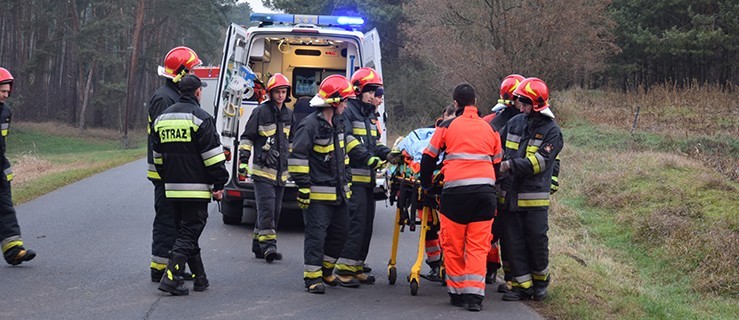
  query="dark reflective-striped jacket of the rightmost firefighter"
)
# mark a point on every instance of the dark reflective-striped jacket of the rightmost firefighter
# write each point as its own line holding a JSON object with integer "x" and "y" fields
{"x": 532, "y": 144}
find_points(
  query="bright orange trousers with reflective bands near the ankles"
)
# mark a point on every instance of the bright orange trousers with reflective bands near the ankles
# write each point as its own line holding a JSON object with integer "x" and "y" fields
{"x": 465, "y": 248}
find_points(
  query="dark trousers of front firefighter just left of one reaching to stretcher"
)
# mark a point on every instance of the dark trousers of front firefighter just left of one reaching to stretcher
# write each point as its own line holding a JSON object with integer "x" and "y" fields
{"x": 326, "y": 227}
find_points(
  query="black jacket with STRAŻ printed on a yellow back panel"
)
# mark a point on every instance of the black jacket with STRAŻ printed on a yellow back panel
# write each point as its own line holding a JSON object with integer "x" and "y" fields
{"x": 187, "y": 151}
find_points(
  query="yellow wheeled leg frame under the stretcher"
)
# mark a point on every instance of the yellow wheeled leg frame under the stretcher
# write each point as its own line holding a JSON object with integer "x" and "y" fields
{"x": 414, "y": 277}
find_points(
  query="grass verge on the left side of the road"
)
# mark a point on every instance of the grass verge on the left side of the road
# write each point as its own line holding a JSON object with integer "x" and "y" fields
{"x": 47, "y": 156}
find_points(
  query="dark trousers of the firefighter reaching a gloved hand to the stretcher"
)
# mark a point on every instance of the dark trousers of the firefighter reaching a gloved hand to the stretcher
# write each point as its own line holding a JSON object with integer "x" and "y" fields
{"x": 361, "y": 221}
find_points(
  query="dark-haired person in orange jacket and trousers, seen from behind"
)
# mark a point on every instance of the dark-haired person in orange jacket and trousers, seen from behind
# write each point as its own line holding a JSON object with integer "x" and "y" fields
{"x": 472, "y": 153}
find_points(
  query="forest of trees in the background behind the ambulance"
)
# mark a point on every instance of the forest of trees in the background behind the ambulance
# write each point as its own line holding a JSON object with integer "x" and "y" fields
{"x": 92, "y": 63}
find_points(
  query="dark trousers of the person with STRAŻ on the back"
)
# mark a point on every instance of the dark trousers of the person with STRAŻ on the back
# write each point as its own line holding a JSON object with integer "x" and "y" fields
{"x": 190, "y": 217}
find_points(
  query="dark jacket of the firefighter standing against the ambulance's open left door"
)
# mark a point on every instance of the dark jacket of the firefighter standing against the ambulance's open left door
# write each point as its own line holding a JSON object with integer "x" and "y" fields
{"x": 267, "y": 135}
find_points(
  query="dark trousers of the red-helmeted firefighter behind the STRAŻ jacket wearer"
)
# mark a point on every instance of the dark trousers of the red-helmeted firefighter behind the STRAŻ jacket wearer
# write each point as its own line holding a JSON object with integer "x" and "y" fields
{"x": 164, "y": 231}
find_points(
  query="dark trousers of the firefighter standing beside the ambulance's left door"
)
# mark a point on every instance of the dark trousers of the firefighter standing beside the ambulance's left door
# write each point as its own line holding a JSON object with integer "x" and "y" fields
{"x": 269, "y": 205}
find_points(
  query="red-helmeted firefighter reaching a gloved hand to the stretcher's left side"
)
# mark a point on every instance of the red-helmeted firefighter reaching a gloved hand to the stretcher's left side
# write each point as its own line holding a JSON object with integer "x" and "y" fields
{"x": 361, "y": 122}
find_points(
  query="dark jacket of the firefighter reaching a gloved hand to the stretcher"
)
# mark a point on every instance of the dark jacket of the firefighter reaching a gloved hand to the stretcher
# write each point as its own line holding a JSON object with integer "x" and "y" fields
{"x": 361, "y": 122}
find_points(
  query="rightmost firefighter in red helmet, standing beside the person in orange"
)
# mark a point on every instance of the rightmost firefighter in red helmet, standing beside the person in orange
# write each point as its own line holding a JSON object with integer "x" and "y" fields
{"x": 533, "y": 141}
